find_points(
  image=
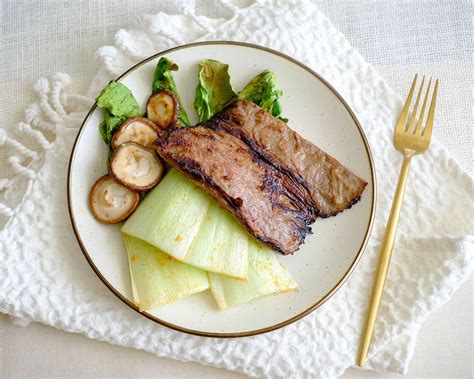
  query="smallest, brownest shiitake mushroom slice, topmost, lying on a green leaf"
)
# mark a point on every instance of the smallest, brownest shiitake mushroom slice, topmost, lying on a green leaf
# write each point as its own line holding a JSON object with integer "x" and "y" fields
{"x": 163, "y": 109}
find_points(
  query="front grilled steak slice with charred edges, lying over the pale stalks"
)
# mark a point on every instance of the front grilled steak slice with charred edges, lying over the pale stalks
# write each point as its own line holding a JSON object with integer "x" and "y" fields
{"x": 272, "y": 206}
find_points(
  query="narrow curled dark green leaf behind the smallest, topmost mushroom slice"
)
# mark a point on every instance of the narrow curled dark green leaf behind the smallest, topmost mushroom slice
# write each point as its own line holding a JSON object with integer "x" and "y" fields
{"x": 163, "y": 79}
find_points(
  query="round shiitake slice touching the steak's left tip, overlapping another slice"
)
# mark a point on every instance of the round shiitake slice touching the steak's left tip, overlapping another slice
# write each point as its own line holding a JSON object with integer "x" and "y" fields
{"x": 136, "y": 167}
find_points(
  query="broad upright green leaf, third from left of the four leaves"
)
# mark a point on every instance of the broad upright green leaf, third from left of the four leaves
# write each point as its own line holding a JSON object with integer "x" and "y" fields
{"x": 214, "y": 90}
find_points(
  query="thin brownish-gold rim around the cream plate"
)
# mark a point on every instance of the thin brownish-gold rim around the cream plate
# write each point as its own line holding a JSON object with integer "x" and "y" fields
{"x": 328, "y": 295}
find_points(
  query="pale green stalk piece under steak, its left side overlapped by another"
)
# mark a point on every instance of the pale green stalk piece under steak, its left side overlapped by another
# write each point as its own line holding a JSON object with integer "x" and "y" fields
{"x": 221, "y": 245}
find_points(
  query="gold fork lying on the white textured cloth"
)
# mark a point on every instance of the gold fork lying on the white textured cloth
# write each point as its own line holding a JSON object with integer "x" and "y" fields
{"x": 410, "y": 140}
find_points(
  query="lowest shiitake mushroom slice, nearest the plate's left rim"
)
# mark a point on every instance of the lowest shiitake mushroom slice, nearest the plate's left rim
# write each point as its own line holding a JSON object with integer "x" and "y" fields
{"x": 112, "y": 202}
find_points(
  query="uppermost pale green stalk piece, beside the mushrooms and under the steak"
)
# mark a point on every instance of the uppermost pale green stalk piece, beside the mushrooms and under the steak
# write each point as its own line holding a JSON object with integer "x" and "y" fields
{"x": 170, "y": 215}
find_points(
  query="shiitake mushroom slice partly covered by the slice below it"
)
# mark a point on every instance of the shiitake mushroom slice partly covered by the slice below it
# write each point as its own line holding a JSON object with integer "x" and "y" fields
{"x": 136, "y": 129}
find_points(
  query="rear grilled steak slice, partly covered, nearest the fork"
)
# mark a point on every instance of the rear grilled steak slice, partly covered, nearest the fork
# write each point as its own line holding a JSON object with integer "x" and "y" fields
{"x": 332, "y": 186}
